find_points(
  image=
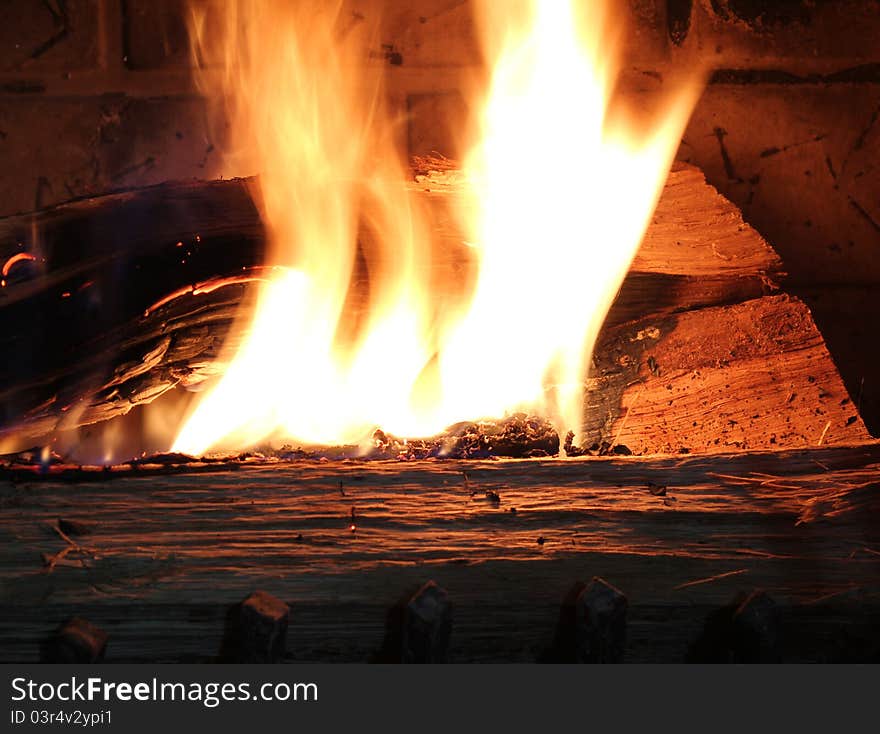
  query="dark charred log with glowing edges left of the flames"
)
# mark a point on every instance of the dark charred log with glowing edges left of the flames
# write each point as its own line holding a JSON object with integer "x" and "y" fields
{"x": 75, "y": 320}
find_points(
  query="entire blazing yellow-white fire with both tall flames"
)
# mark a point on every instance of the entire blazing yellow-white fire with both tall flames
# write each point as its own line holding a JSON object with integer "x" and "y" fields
{"x": 561, "y": 185}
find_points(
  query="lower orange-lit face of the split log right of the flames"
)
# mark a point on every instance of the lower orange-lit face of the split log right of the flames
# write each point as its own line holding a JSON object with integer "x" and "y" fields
{"x": 754, "y": 375}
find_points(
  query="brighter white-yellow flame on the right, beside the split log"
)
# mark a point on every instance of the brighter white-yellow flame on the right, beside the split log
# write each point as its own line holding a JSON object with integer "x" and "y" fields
{"x": 563, "y": 191}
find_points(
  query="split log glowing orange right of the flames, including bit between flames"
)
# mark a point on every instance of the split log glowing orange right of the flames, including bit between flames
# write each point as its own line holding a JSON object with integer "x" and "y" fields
{"x": 700, "y": 352}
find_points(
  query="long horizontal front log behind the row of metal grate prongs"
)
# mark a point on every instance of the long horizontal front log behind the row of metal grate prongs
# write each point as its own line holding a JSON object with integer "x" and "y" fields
{"x": 167, "y": 555}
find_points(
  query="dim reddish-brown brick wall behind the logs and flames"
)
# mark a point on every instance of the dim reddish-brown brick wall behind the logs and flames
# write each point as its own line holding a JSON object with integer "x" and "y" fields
{"x": 97, "y": 94}
